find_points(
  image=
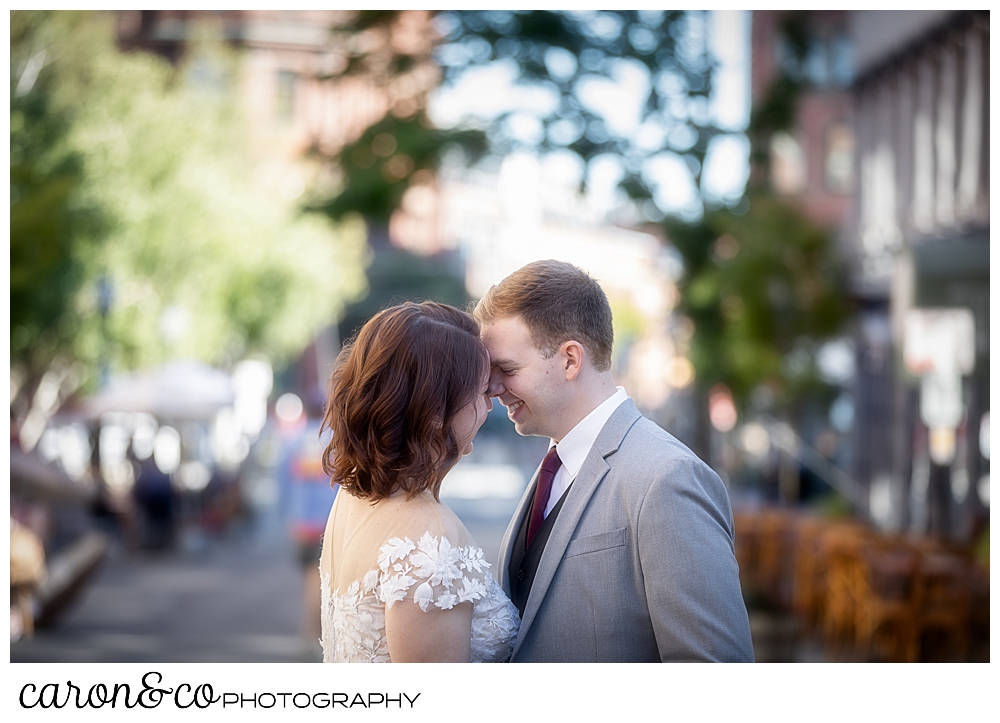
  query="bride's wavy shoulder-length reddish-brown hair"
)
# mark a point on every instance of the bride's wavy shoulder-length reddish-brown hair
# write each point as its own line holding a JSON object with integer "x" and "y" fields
{"x": 393, "y": 395}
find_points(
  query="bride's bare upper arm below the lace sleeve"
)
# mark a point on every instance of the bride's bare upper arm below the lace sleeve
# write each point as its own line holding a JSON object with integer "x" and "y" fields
{"x": 435, "y": 636}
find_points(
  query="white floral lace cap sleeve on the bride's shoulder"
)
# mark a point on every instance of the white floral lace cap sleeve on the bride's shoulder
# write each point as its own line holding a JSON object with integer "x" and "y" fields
{"x": 430, "y": 572}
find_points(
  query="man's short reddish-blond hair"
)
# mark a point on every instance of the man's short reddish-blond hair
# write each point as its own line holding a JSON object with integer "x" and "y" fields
{"x": 558, "y": 302}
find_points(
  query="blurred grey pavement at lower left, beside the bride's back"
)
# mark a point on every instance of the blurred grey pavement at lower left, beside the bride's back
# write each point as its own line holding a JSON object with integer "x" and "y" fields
{"x": 235, "y": 598}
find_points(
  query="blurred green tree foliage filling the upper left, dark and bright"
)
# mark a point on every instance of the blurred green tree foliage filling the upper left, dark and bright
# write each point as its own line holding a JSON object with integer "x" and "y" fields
{"x": 127, "y": 170}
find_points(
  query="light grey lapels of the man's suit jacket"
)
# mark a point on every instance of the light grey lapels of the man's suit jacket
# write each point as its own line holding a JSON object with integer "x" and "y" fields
{"x": 594, "y": 469}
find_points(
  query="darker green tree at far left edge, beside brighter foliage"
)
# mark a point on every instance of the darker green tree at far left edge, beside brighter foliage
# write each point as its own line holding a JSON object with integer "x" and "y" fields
{"x": 51, "y": 223}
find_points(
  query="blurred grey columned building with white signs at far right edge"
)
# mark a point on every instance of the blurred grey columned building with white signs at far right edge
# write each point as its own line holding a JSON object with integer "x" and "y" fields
{"x": 919, "y": 248}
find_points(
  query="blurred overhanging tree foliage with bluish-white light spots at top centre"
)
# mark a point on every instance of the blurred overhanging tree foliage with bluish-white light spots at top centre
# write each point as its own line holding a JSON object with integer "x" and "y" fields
{"x": 562, "y": 54}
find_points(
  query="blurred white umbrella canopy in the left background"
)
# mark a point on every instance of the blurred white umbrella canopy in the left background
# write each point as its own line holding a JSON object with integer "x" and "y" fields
{"x": 177, "y": 390}
